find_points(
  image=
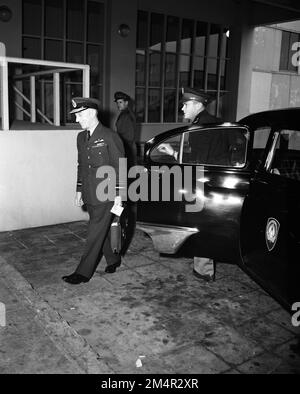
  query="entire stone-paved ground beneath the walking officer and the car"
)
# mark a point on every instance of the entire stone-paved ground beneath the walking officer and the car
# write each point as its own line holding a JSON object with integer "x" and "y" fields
{"x": 152, "y": 307}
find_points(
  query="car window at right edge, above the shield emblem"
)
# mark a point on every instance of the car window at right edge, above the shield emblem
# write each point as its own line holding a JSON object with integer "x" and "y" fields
{"x": 286, "y": 157}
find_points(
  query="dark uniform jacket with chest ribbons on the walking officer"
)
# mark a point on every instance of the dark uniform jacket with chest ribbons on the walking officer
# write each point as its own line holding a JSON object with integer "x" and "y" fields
{"x": 103, "y": 148}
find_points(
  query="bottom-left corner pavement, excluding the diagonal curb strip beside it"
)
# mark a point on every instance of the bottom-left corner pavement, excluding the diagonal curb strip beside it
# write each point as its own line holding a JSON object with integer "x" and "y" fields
{"x": 24, "y": 344}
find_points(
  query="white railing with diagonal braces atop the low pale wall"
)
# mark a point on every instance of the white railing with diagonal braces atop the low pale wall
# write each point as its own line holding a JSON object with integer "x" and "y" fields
{"x": 56, "y": 69}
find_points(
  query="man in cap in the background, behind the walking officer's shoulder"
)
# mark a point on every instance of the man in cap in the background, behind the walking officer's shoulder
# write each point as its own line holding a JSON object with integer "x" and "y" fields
{"x": 125, "y": 126}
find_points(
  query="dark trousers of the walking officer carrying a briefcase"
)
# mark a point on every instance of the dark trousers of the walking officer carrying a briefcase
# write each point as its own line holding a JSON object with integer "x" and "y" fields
{"x": 98, "y": 240}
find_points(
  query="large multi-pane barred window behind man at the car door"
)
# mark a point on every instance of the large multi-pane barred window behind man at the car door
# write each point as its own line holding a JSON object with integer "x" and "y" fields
{"x": 173, "y": 52}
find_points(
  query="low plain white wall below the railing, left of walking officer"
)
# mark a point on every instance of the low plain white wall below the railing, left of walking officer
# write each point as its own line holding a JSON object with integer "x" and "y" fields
{"x": 38, "y": 178}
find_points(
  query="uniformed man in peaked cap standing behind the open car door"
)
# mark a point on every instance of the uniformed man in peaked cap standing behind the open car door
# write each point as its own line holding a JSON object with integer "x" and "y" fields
{"x": 194, "y": 109}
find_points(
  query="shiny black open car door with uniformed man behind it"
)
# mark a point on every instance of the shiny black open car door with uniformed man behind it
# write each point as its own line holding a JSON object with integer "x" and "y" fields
{"x": 202, "y": 171}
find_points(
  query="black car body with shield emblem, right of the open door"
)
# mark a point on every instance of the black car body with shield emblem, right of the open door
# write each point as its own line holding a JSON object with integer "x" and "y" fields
{"x": 270, "y": 222}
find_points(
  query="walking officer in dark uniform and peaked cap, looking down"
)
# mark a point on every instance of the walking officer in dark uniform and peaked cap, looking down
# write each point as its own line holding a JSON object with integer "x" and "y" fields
{"x": 97, "y": 146}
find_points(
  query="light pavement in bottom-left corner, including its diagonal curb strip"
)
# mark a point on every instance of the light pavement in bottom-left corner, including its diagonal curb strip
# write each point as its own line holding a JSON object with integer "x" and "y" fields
{"x": 35, "y": 339}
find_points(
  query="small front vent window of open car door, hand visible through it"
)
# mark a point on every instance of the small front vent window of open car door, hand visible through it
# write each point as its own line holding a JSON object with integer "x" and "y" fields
{"x": 167, "y": 151}
